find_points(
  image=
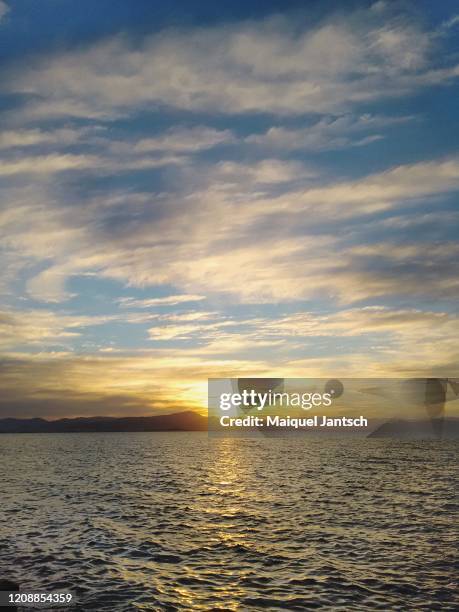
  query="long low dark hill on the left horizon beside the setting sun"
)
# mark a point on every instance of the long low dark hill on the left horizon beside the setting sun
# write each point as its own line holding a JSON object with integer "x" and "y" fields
{"x": 179, "y": 421}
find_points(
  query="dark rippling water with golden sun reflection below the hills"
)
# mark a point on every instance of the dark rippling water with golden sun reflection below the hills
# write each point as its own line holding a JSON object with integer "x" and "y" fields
{"x": 155, "y": 521}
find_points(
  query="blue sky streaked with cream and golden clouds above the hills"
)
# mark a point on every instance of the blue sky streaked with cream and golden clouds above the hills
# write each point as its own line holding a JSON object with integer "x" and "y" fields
{"x": 199, "y": 189}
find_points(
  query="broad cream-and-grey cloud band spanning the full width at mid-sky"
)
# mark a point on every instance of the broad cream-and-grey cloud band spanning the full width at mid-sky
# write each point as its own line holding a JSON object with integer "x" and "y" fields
{"x": 260, "y": 232}
